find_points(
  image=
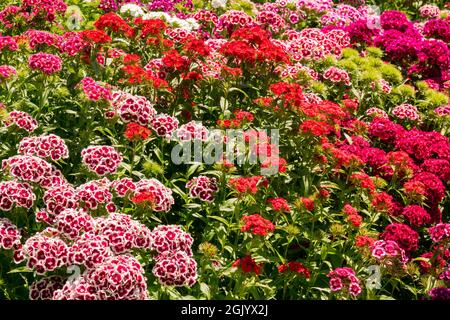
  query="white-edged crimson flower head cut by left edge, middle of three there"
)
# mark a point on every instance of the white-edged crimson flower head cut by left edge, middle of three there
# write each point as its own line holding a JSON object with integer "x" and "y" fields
{"x": 13, "y": 192}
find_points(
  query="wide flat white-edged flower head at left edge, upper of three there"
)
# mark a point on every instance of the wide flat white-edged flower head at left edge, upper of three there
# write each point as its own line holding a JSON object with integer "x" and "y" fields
{"x": 27, "y": 168}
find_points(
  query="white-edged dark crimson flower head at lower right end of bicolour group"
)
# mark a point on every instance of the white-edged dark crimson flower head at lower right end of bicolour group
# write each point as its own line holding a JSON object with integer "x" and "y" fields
{"x": 175, "y": 268}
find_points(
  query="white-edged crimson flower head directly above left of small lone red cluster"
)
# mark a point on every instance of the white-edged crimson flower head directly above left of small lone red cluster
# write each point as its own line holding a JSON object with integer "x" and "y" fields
{"x": 133, "y": 108}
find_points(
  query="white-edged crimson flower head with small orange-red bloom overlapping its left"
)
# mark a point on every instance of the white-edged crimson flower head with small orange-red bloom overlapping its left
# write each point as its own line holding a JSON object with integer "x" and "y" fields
{"x": 160, "y": 196}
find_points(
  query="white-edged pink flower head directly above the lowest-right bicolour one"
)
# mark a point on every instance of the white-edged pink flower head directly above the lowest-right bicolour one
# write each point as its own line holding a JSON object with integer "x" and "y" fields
{"x": 171, "y": 238}
